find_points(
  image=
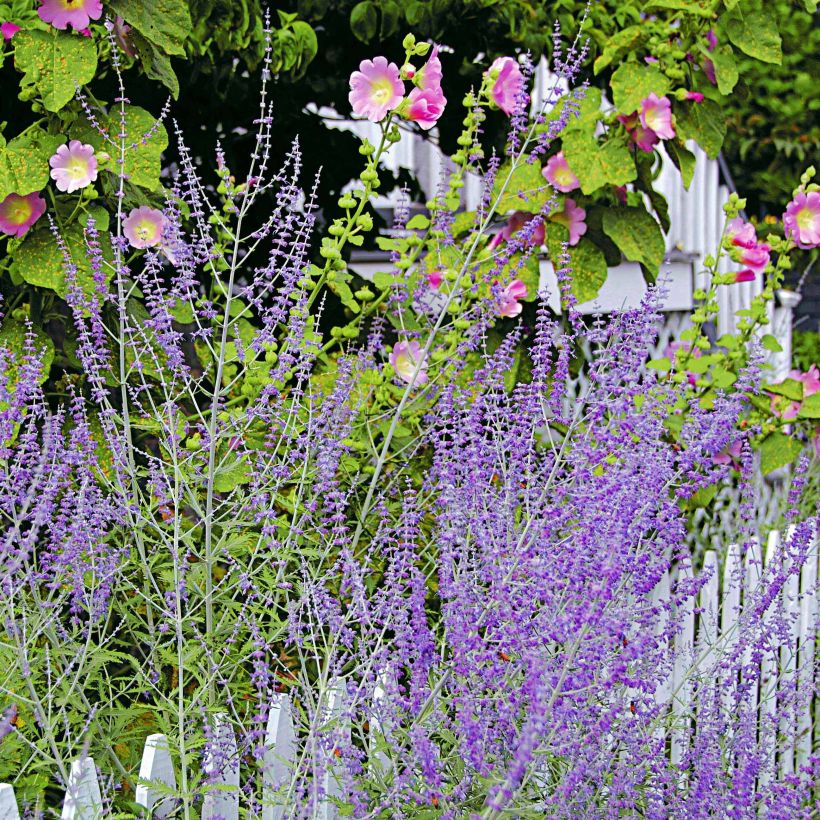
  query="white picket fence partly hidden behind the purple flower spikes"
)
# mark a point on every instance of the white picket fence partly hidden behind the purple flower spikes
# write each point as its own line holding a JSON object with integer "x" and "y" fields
{"x": 708, "y": 627}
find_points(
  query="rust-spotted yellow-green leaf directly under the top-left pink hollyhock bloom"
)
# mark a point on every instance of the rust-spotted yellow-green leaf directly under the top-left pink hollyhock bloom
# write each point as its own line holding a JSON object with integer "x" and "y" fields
{"x": 54, "y": 63}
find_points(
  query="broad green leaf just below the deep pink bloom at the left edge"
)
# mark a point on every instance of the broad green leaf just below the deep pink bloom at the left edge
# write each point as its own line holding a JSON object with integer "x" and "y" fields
{"x": 38, "y": 261}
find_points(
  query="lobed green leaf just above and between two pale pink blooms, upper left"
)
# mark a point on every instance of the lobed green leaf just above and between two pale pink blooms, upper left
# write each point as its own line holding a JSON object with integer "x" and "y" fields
{"x": 142, "y": 161}
